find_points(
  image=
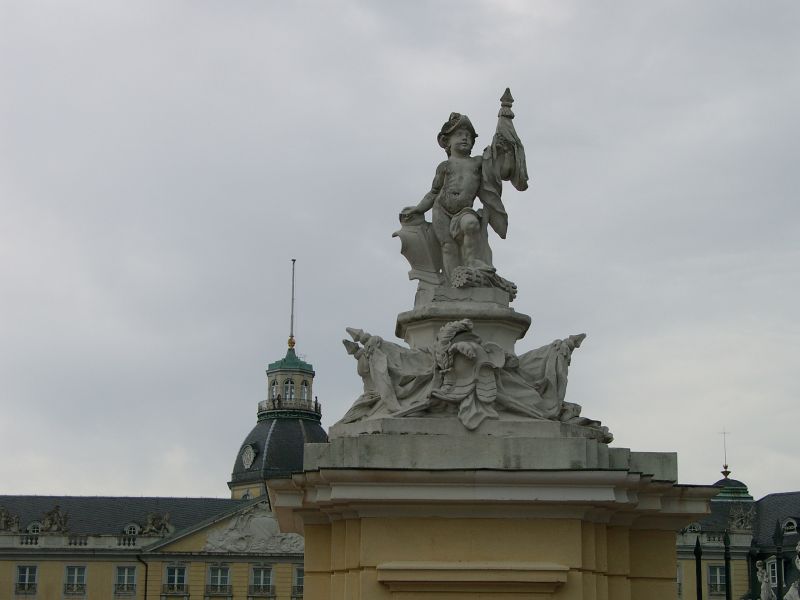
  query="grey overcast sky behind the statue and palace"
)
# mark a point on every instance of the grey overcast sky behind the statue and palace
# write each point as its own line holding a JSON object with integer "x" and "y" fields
{"x": 162, "y": 162}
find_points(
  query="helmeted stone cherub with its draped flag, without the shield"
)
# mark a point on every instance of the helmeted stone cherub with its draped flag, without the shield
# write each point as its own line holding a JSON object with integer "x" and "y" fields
{"x": 460, "y": 229}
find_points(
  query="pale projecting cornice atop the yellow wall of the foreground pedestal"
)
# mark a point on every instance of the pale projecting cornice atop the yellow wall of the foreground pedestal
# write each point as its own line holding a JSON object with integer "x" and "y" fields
{"x": 604, "y": 496}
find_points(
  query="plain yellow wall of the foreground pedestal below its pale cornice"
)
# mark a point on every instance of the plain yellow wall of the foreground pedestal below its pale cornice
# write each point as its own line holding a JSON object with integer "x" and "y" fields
{"x": 606, "y": 563}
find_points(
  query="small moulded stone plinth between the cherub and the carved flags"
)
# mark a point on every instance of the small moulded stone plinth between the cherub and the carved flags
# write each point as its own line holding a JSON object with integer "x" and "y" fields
{"x": 492, "y": 321}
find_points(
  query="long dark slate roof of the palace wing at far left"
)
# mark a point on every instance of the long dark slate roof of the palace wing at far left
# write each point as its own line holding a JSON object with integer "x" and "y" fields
{"x": 95, "y": 515}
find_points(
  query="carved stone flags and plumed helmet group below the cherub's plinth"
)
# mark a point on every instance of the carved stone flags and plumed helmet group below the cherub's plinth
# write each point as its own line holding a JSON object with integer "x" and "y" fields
{"x": 465, "y": 376}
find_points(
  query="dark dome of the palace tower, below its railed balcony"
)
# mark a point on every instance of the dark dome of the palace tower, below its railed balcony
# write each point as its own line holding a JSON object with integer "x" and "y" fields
{"x": 276, "y": 446}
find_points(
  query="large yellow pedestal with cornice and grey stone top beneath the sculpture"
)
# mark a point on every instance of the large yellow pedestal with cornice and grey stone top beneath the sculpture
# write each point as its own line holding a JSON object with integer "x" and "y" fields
{"x": 423, "y": 509}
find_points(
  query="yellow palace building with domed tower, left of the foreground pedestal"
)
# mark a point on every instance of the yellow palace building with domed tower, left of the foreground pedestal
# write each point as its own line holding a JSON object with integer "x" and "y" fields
{"x": 165, "y": 548}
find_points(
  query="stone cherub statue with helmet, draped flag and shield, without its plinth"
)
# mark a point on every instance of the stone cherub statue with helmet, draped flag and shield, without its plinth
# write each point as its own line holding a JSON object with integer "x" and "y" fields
{"x": 463, "y": 257}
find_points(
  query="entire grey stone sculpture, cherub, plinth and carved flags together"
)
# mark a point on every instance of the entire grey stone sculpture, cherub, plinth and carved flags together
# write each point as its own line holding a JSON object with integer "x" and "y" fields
{"x": 461, "y": 333}
